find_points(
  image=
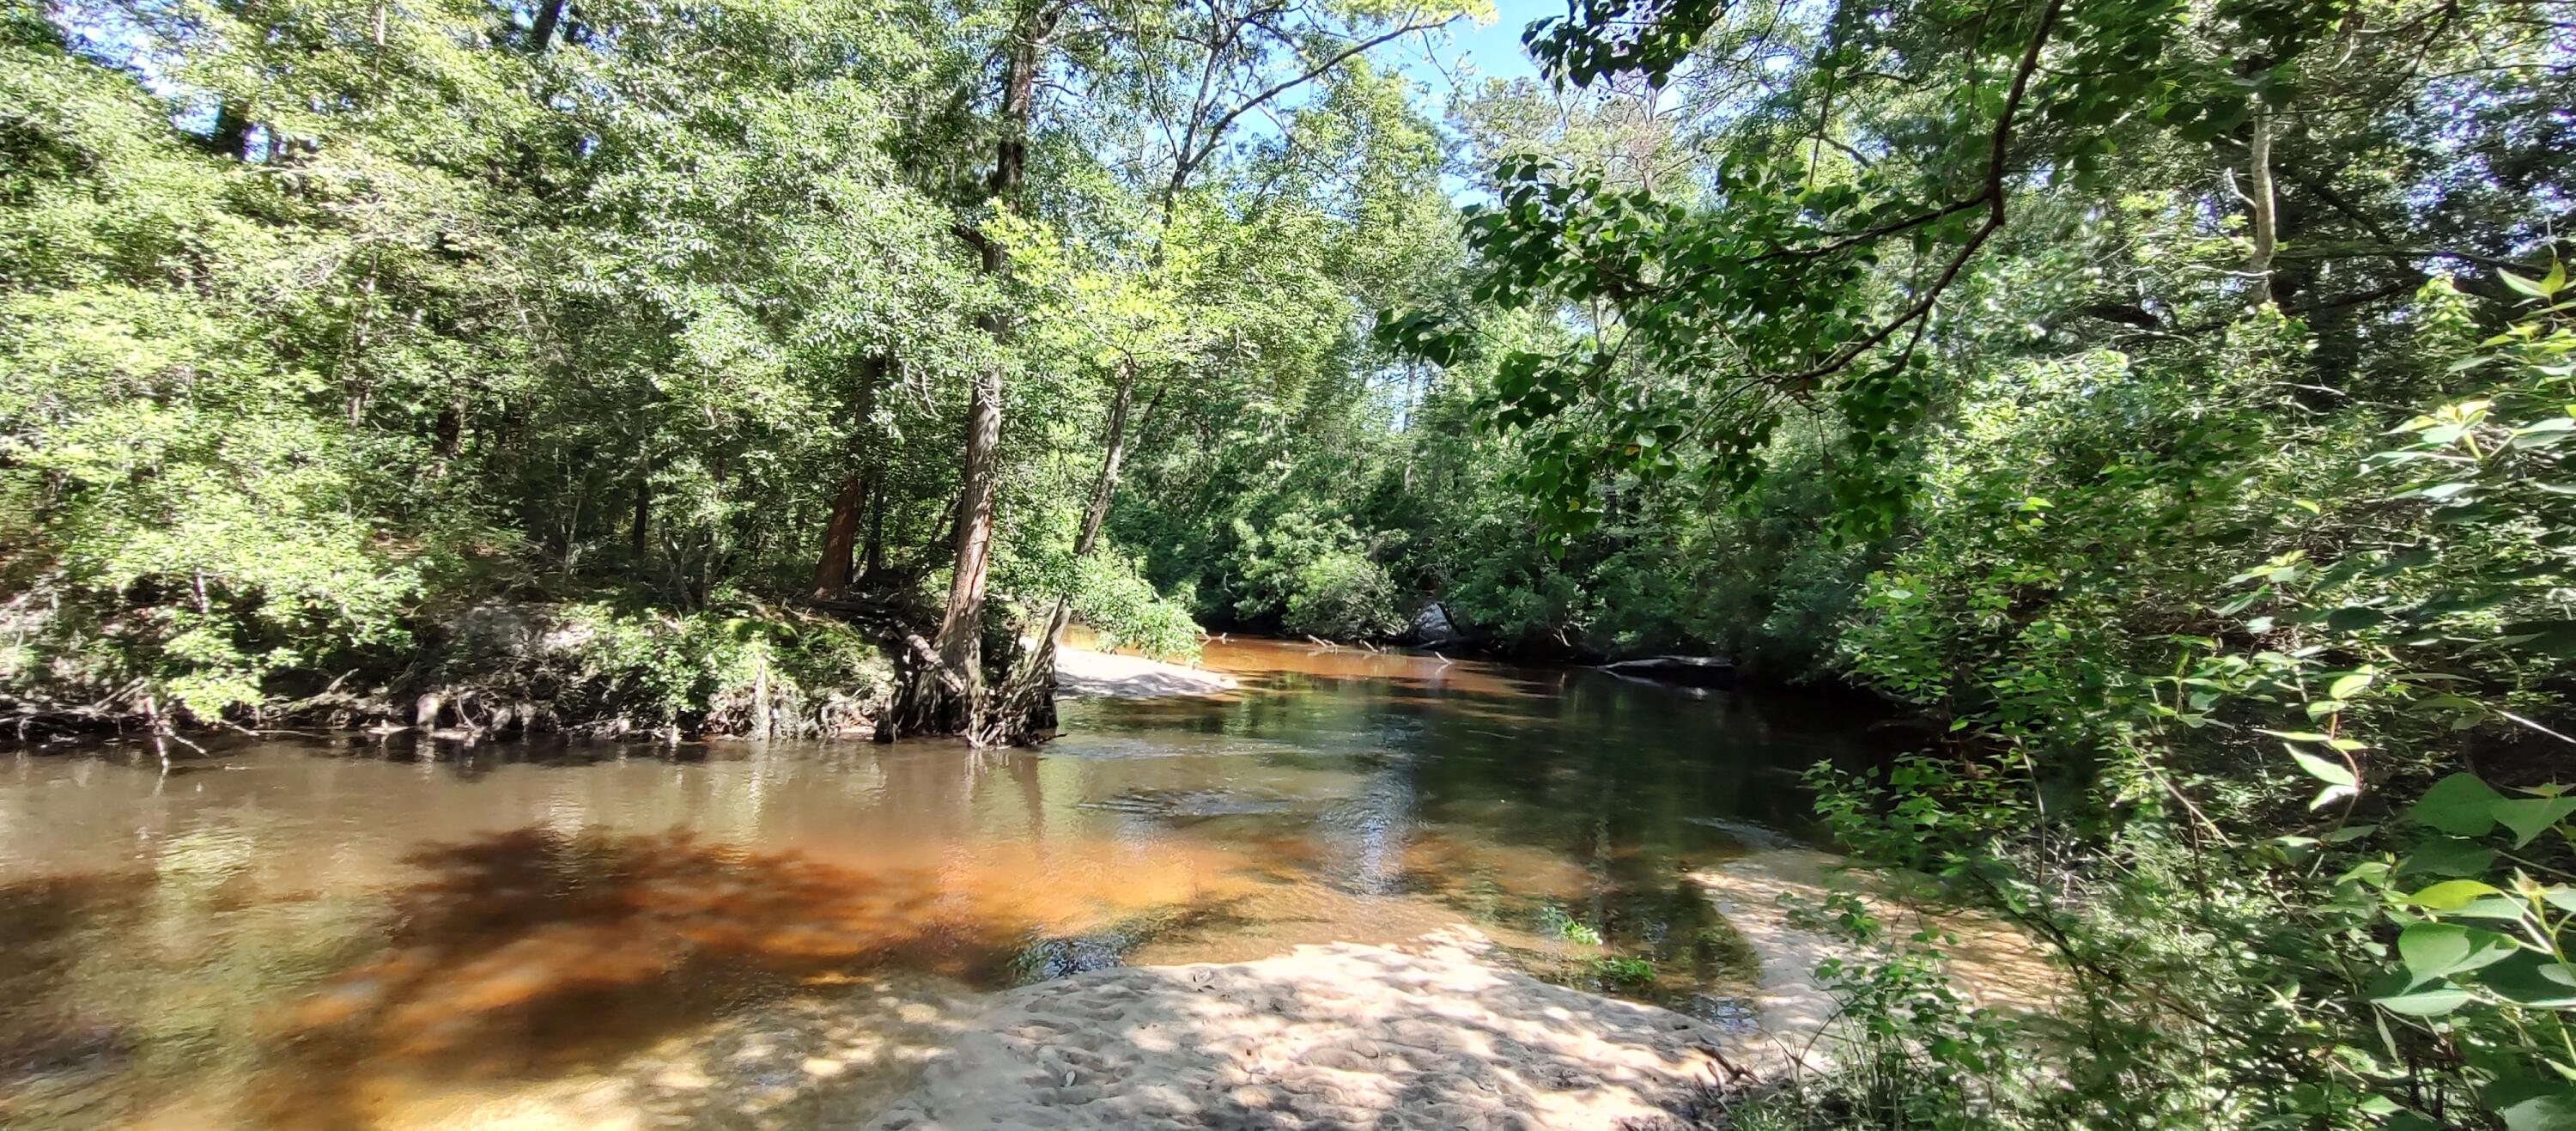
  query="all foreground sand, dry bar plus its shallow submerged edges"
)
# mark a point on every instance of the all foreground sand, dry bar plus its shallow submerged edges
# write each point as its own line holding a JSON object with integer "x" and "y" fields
{"x": 1428, "y": 1034}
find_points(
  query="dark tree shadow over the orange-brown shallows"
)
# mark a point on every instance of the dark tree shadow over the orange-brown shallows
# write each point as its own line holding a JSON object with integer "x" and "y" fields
{"x": 535, "y": 955}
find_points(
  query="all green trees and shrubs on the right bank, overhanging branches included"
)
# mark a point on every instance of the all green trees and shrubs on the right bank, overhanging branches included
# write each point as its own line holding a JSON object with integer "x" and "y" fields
{"x": 2214, "y": 519}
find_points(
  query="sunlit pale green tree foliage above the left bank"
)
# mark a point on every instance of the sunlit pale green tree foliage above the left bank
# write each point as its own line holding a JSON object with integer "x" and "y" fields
{"x": 323, "y": 318}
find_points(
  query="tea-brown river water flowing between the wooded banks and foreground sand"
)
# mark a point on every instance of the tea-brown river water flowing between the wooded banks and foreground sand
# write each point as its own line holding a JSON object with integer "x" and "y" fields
{"x": 334, "y": 934}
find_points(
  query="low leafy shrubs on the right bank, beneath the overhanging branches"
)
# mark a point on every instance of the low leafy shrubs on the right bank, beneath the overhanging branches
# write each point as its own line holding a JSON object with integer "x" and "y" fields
{"x": 2124, "y": 790}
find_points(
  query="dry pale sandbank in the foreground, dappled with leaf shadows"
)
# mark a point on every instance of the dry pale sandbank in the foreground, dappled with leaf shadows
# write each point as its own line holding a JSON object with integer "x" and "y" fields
{"x": 1328, "y": 1037}
